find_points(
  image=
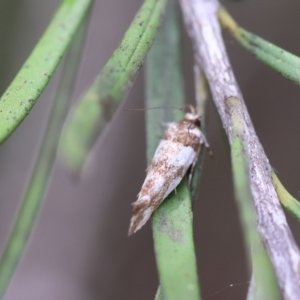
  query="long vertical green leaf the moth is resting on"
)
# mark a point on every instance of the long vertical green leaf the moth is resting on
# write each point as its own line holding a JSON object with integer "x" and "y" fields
{"x": 172, "y": 221}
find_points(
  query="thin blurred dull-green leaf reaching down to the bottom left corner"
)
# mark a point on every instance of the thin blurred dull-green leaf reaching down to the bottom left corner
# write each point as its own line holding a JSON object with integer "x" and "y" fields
{"x": 39, "y": 180}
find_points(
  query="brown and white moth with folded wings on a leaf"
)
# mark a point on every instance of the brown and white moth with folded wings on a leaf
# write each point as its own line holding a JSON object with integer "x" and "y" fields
{"x": 176, "y": 154}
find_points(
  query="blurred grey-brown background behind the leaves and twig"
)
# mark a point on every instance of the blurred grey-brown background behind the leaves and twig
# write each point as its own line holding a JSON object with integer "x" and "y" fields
{"x": 79, "y": 248}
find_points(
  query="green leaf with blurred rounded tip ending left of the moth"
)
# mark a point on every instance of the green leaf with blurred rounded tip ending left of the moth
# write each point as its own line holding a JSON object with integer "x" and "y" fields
{"x": 92, "y": 113}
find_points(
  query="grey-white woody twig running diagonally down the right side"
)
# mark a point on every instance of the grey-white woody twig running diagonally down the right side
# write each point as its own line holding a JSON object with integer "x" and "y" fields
{"x": 203, "y": 27}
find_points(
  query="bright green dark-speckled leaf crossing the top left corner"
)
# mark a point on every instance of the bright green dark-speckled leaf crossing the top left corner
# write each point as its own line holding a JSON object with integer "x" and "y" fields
{"x": 36, "y": 72}
